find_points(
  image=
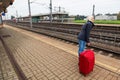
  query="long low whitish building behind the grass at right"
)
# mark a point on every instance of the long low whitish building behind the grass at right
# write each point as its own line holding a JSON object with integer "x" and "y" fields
{"x": 106, "y": 17}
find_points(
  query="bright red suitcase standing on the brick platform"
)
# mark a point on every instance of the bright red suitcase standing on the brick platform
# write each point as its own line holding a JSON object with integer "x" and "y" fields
{"x": 86, "y": 62}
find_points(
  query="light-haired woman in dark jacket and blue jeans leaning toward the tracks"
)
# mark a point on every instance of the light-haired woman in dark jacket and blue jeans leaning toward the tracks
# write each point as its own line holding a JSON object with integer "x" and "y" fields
{"x": 84, "y": 35}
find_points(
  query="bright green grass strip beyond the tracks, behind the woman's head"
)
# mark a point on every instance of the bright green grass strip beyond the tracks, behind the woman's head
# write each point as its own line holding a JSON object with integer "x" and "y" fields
{"x": 100, "y": 21}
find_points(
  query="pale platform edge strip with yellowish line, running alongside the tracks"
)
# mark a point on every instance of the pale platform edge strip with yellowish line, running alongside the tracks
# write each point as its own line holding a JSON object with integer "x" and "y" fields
{"x": 107, "y": 61}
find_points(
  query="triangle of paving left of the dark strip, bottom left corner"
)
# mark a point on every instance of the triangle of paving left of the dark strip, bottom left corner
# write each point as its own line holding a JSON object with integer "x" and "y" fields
{"x": 6, "y": 70}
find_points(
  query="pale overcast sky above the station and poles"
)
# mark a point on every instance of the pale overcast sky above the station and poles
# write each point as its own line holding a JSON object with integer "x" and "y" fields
{"x": 73, "y": 7}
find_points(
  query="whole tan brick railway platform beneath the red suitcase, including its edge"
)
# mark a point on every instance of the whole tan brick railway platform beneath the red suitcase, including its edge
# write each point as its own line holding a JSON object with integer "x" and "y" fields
{"x": 45, "y": 58}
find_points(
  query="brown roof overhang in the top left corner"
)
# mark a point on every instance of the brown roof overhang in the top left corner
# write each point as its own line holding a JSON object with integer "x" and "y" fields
{"x": 4, "y": 4}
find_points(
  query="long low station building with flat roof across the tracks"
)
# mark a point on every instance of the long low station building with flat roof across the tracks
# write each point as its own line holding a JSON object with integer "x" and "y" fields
{"x": 56, "y": 17}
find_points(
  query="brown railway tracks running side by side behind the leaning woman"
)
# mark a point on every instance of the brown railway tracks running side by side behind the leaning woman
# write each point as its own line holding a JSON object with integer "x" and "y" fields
{"x": 105, "y": 38}
